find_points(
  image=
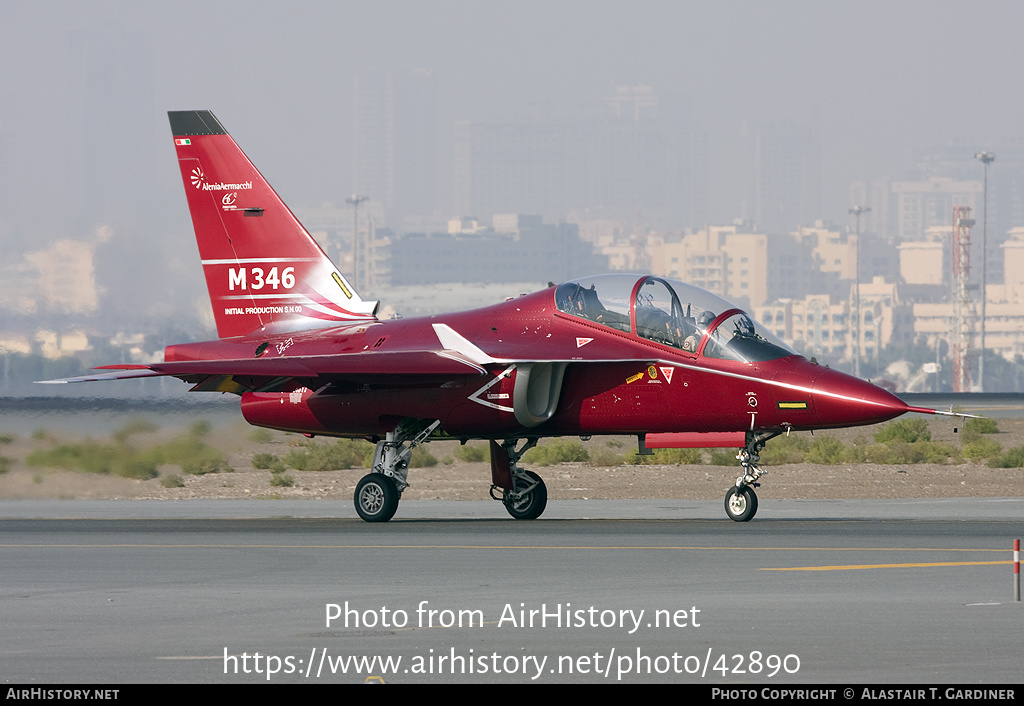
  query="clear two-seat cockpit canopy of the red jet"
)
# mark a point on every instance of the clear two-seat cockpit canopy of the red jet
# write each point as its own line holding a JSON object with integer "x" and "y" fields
{"x": 672, "y": 314}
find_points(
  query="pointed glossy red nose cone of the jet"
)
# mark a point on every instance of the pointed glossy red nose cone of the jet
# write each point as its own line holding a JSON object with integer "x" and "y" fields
{"x": 842, "y": 400}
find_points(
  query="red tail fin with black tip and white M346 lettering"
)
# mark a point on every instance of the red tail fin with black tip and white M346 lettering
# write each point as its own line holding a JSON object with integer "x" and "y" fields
{"x": 264, "y": 270}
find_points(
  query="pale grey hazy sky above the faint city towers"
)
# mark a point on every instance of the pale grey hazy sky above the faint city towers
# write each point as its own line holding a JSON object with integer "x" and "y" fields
{"x": 876, "y": 77}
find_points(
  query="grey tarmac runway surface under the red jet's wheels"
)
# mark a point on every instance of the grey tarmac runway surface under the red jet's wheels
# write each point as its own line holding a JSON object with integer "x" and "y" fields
{"x": 595, "y": 592}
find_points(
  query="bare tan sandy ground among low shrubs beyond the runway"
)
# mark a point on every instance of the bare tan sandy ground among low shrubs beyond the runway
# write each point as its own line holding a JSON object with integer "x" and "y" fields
{"x": 459, "y": 481}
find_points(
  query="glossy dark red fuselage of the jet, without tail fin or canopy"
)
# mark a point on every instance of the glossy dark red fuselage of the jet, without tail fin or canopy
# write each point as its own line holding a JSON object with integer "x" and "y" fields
{"x": 606, "y": 390}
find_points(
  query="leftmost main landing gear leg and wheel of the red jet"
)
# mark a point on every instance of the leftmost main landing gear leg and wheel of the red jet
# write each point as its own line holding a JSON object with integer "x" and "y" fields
{"x": 378, "y": 493}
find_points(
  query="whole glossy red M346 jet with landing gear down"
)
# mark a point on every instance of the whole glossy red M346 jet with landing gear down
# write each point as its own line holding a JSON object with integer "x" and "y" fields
{"x": 608, "y": 355}
